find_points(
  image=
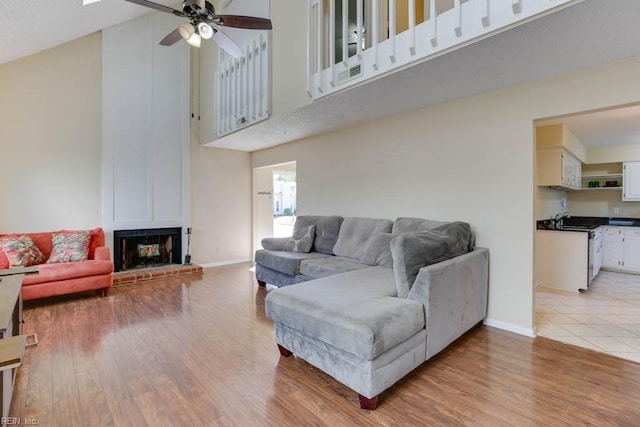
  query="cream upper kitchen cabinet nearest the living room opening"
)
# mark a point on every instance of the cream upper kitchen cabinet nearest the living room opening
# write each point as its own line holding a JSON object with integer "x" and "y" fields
{"x": 559, "y": 168}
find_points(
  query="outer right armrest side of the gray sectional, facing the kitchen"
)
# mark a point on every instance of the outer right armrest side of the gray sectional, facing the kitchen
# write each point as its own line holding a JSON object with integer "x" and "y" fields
{"x": 454, "y": 293}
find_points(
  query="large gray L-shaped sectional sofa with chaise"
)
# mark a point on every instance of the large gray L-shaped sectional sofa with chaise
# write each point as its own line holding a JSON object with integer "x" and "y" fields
{"x": 373, "y": 298}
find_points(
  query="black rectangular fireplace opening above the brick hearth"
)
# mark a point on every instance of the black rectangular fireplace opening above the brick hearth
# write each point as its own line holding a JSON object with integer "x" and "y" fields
{"x": 145, "y": 248}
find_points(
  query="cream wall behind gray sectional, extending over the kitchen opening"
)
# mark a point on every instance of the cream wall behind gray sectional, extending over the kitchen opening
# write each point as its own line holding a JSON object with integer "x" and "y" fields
{"x": 471, "y": 160}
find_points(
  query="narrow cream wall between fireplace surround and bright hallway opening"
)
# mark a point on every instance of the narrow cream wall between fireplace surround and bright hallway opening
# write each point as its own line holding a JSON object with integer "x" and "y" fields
{"x": 220, "y": 179}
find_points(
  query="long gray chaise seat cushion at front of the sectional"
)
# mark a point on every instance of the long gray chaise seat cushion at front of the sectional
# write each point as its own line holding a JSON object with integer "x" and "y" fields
{"x": 355, "y": 311}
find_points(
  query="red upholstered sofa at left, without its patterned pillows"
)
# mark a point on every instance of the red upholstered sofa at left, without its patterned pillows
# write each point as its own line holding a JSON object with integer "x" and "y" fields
{"x": 69, "y": 277}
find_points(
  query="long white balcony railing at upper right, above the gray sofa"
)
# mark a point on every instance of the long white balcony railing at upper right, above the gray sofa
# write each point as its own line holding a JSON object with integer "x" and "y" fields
{"x": 351, "y": 41}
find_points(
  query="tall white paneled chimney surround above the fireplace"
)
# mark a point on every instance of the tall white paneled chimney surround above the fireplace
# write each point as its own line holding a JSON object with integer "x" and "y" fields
{"x": 146, "y": 132}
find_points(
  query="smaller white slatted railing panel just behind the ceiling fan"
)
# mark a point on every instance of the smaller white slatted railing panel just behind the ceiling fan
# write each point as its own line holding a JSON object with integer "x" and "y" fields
{"x": 243, "y": 88}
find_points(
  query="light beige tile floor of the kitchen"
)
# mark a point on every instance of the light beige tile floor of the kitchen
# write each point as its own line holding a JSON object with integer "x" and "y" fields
{"x": 606, "y": 318}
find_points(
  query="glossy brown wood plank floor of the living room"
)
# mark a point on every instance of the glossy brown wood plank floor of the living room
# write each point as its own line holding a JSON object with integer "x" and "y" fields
{"x": 173, "y": 353}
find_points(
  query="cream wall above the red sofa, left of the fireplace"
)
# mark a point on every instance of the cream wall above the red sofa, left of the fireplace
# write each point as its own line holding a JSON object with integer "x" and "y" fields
{"x": 50, "y": 138}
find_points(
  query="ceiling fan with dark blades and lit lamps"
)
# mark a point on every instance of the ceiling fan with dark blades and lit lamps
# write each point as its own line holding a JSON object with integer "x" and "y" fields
{"x": 204, "y": 24}
